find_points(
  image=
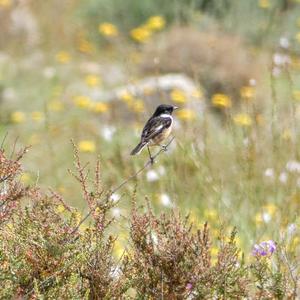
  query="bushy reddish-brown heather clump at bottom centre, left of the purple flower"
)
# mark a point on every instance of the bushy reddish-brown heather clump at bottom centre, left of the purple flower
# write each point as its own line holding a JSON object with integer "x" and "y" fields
{"x": 170, "y": 260}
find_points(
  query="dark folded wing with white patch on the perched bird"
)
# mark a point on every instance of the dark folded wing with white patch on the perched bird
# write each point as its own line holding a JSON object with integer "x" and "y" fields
{"x": 155, "y": 126}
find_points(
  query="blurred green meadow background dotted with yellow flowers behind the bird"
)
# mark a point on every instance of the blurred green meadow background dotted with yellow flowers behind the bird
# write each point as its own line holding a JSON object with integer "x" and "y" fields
{"x": 77, "y": 70}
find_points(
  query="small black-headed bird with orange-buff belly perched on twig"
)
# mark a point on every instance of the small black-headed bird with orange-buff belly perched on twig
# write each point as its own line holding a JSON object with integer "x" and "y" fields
{"x": 157, "y": 129}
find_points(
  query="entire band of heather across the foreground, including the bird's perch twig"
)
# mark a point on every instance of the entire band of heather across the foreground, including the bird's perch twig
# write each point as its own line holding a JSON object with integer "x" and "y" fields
{"x": 47, "y": 250}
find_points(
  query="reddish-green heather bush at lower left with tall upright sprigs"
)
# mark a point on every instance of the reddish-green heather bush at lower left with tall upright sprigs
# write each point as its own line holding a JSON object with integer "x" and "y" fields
{"x": 44, "y": 253}
